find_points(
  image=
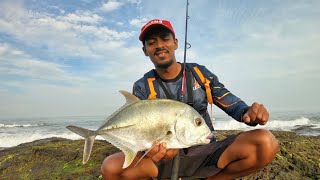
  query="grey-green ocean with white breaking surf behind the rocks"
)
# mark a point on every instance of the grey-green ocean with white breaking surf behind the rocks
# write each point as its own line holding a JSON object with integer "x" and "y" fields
{"x": 14, "y": 131}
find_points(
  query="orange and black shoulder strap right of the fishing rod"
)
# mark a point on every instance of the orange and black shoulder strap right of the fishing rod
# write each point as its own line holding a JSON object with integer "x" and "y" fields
{"x": 202, "y": 80}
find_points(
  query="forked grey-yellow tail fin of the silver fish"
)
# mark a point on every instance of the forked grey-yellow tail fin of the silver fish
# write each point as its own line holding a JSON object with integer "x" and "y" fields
{"x": 89, "y": 140}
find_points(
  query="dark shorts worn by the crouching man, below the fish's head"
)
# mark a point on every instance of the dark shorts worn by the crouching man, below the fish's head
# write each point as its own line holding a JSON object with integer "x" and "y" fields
{"x": 197, "y": 161}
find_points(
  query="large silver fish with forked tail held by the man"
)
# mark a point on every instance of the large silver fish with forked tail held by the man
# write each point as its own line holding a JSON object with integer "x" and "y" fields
{"x": 138, "y": 124}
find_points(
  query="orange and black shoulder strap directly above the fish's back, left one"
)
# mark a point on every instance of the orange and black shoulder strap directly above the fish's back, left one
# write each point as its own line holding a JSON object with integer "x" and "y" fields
{"x": 150, "y": 83}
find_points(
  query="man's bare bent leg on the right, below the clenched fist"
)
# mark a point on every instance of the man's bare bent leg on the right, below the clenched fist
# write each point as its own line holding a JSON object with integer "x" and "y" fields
{"x": 249, "y": 152}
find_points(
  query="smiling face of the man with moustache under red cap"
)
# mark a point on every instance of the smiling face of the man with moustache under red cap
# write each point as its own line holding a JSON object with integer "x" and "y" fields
{"x": 160, "y": 46}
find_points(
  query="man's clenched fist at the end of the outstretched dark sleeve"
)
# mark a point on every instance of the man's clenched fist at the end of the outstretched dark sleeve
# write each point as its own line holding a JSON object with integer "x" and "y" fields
{"x": 257, "y": 113}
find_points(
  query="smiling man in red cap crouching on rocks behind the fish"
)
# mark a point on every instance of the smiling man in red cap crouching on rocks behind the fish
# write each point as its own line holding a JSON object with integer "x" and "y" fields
{"x": 236, "y": 156}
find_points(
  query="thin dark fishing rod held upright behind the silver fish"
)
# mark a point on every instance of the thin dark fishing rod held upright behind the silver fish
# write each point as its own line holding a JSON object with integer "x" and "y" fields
{"x": 176, "y": 159}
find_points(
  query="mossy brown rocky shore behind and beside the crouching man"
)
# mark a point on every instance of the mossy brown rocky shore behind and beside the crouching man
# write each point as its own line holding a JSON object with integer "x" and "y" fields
{"x": 57, "y": 158}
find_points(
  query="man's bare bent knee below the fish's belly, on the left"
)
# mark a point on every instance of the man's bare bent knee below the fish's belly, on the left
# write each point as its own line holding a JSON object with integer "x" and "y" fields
{"x": 112, "y": 168}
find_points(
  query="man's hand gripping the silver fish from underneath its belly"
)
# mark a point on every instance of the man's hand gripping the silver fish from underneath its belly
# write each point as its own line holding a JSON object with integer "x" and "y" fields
{"x": 160, "y": 152}
